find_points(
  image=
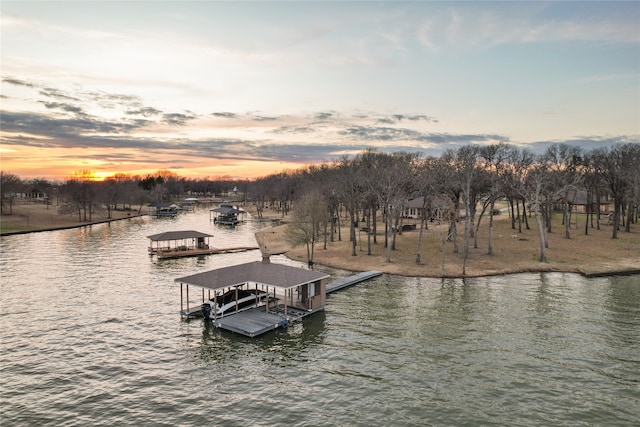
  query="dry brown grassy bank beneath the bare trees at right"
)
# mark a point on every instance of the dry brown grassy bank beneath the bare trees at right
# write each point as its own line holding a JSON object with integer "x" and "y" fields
{"x": 590, "y": 255}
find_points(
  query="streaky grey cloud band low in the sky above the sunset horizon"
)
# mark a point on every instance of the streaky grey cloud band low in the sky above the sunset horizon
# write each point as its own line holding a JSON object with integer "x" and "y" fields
{"x": 327, "y": 135}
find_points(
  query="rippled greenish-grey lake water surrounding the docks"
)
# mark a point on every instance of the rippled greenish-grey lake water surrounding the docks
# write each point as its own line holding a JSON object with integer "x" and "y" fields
{"x": 91, "y": 335}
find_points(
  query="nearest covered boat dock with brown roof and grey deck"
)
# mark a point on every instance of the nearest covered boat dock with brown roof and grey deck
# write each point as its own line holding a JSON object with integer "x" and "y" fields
{"x": 293, "y": 292}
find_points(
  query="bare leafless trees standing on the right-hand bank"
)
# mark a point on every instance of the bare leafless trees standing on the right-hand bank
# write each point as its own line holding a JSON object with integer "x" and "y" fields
{"x": 471, "y": 179}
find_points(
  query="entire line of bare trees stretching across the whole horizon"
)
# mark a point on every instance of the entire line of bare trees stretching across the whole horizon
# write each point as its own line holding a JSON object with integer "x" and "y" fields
{"x": 374, "y": 186}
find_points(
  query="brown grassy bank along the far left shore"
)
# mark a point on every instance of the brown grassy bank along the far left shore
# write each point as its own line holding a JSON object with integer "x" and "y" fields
{"x": 27, "y": 218}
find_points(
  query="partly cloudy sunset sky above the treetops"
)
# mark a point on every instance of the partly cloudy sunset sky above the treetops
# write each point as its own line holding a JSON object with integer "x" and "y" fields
{"x": 246, "y": 89}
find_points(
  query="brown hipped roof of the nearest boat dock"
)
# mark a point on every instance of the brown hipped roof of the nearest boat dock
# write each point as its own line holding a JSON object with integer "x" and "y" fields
{"x": 266, "y": 273}
